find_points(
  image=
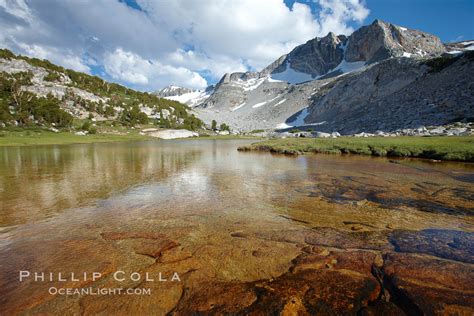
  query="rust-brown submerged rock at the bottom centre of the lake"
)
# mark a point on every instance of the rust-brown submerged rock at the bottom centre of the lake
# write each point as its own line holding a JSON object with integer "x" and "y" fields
{"x": 319, "y": 282}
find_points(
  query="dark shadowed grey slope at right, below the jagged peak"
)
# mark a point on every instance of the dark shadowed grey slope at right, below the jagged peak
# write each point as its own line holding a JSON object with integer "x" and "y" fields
{"x": 394, "y": 94}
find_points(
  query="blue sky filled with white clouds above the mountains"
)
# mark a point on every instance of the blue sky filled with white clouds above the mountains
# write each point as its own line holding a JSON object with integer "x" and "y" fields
{"x": 148, "y": 44}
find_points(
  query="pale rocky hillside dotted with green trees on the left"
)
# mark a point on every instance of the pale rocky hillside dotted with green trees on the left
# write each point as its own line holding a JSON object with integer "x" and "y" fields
{"x": 37, "y": 92}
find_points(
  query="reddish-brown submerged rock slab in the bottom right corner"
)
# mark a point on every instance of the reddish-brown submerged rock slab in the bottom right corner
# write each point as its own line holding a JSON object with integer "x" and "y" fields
{"x": 422, "y": 285}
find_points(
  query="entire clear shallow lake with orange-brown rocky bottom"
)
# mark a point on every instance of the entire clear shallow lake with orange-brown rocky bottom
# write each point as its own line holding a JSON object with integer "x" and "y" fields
{"x": 247, "y": 233}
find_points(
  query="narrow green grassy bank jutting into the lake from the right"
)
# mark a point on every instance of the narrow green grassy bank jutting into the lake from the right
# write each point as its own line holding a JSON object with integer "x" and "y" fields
{"x": 454, "y": 148}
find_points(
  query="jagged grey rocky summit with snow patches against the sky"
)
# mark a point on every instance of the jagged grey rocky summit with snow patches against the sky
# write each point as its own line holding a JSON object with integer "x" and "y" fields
{"x": 372, "y": 43}
